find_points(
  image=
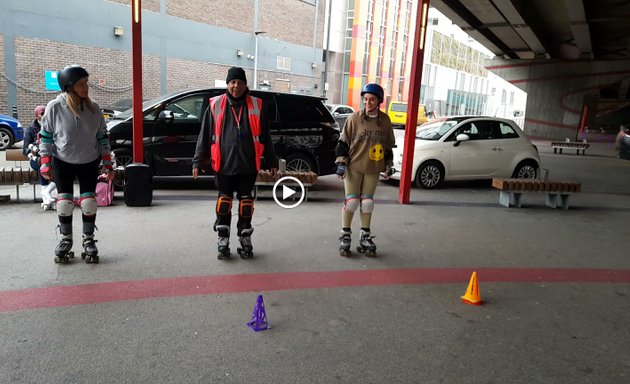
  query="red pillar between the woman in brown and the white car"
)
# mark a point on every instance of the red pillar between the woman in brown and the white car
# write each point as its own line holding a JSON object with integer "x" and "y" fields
{"x": 417, "y": 64}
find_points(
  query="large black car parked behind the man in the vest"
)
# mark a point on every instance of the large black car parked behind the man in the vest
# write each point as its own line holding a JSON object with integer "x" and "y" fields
{"x": 303, "y": 131}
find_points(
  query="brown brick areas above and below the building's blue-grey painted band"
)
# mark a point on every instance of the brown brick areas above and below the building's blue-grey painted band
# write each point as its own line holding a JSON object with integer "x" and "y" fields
{"x": 110, "y": 70}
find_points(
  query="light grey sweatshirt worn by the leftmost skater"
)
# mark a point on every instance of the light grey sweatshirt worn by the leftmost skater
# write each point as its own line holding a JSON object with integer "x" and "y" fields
{"x": 76, "y": 139}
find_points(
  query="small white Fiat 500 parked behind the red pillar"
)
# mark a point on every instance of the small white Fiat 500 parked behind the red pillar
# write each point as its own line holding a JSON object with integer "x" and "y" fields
{"x": 468, "y": 148}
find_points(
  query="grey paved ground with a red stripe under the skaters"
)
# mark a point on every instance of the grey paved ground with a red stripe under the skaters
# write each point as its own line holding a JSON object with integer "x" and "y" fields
{"x": 160, "y": 308}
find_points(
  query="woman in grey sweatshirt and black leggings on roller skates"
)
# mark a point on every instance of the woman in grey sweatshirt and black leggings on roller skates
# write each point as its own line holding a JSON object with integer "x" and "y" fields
{"x": 74, "y": 143}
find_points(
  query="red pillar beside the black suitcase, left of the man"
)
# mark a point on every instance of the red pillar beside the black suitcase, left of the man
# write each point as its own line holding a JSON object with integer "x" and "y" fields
{"x": 136, "y": 70}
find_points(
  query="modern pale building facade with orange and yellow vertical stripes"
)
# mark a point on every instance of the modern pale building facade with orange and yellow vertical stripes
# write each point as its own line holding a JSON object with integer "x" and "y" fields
{"x": 376, "y": 46}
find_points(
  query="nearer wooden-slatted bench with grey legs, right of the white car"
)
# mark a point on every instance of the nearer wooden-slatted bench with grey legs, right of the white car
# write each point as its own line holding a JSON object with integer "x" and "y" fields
{"x": 557, "y": 191}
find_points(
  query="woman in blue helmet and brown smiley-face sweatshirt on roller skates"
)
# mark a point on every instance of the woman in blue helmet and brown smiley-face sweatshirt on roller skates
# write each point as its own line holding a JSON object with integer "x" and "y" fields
{"x": 364, "y": 151}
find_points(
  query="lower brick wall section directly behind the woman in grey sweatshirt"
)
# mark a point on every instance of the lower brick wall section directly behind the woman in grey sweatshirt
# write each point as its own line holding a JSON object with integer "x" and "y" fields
{"x": 110, "y": 72}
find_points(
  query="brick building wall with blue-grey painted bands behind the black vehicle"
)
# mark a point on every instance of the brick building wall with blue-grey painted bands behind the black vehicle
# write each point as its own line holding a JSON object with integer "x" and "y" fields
{"x": 185, "y": 44}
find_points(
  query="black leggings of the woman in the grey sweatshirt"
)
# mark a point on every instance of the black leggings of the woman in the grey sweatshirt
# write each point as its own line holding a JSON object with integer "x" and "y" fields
{"x": 64, "y": 174}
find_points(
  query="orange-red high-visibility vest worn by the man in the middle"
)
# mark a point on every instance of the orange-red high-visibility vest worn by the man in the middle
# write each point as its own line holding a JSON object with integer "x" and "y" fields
{"x": 217, "y": 109}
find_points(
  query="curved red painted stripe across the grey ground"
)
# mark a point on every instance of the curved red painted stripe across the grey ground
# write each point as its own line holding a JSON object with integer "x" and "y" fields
{"x": 62, "y": 296}
